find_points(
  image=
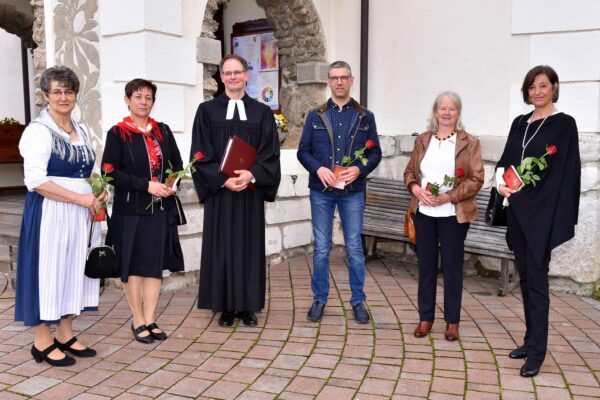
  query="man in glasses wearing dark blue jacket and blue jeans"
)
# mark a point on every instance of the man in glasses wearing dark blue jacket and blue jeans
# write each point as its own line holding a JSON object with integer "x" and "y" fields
{"x": 332, "y": 134}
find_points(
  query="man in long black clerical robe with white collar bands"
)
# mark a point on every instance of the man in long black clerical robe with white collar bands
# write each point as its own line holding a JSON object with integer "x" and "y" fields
{"x": 233, "y": 264}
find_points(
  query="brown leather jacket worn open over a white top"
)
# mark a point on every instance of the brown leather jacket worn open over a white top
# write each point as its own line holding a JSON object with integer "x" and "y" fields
{"x": 468, "y": 157}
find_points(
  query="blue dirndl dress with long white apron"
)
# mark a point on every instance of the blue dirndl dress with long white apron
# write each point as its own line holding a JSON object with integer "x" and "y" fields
{"x": 53, "y": 247}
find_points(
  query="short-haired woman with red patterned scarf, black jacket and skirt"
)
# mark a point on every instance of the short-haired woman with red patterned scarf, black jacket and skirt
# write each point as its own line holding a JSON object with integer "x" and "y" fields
{"x": 143, "y": 227}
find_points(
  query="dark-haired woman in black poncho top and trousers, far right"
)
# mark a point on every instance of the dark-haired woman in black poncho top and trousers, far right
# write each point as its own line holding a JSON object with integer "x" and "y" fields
{"x": 543, "y": 216}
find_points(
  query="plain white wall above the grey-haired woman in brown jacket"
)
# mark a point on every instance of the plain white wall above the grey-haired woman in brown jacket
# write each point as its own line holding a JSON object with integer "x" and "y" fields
{"x": 467, "y": 48}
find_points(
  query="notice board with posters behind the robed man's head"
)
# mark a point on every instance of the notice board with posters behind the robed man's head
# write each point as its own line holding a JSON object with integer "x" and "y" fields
{"x": 256, "y": 42}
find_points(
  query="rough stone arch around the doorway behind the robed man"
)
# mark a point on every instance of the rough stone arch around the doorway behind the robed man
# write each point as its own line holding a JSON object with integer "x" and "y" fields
{"x": 300, "y": 39}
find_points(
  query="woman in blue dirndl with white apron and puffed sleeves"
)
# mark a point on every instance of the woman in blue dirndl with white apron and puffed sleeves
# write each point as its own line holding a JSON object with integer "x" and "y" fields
{"x": 51, "y": 285}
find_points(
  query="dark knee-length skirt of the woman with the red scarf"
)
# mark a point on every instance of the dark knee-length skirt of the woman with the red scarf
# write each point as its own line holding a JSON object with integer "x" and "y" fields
{"x": 146, "y": 244}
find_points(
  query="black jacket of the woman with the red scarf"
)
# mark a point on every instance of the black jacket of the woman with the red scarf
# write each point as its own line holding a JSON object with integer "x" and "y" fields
{"x": 129, "y": 157}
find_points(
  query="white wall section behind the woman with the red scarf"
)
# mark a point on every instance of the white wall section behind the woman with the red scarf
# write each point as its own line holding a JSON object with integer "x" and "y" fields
{"x": 158, "y": 43}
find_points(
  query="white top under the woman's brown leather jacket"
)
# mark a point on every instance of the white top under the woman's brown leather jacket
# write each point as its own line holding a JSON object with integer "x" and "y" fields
{"x": 439, "y": 160}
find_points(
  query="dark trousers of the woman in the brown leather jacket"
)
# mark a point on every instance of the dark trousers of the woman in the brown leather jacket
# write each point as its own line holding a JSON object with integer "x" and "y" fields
{"x": 451, "y": 238}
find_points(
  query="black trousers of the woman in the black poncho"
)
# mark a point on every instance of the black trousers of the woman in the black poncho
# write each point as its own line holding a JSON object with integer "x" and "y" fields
{"x": 535, "y": 293}
